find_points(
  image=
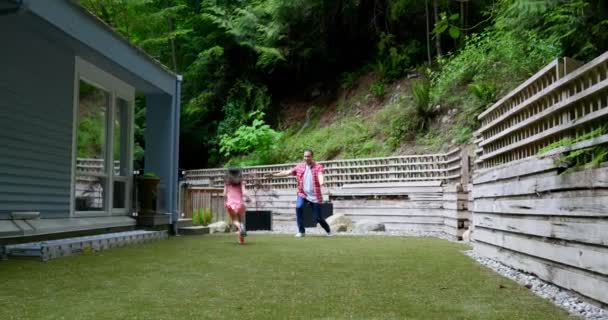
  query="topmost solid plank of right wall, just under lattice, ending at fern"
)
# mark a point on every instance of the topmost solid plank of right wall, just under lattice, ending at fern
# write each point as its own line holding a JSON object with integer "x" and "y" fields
{"x": 515, "y": 169}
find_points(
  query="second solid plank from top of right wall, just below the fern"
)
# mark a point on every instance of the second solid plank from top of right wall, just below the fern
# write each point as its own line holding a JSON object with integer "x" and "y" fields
{"x": 583, "y": 179}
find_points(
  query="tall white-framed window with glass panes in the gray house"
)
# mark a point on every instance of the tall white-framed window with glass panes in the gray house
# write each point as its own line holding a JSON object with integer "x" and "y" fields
{"x": 102, "y": 143}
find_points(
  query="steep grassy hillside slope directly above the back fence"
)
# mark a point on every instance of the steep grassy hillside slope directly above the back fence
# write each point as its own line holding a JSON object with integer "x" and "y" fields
{"x": 365, "y": 119}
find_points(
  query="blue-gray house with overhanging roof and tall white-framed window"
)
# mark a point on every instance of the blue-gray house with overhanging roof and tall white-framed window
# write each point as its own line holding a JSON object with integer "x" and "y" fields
{"x": 67, "y": 90}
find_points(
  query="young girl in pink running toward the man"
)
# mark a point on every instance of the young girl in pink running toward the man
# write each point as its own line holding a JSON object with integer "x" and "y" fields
{"x": 234, "y": 191}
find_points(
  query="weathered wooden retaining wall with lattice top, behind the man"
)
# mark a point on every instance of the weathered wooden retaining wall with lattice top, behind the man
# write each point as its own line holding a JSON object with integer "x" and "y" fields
{"x": 419, "y": 192}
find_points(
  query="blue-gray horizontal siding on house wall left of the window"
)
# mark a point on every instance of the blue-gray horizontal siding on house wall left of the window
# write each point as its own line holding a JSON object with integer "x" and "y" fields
{"x": 36, "y": 105}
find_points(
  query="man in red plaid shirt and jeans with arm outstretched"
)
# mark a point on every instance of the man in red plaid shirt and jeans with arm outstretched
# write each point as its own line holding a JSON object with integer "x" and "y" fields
{"x": 310, "y": 179}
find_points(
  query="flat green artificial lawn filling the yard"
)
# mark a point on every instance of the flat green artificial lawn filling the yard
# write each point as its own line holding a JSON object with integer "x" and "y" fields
{"x": 270, "y": 277}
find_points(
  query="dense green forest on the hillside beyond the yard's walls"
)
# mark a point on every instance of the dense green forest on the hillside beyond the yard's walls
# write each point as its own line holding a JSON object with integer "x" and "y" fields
{"x": 261, "y": 76}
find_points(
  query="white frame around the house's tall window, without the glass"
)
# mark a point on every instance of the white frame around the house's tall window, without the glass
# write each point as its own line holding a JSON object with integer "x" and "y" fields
{"x": 86, "y": 71}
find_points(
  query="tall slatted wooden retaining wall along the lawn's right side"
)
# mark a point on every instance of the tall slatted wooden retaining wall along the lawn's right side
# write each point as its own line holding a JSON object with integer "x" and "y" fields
{"x": 528, "y": 211}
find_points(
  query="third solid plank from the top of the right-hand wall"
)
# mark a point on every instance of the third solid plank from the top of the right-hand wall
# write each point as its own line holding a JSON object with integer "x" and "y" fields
{"x": 579, "y": 204}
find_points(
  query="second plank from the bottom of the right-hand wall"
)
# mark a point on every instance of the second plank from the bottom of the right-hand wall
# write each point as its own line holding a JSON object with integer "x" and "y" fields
{"x": 592, "y": 258}
